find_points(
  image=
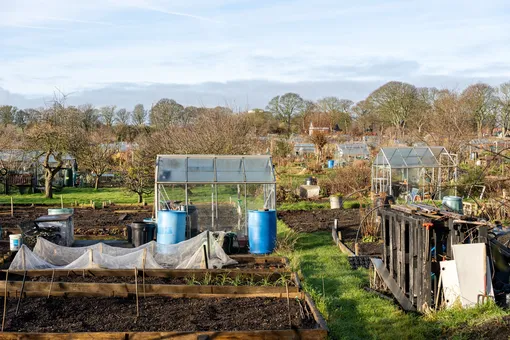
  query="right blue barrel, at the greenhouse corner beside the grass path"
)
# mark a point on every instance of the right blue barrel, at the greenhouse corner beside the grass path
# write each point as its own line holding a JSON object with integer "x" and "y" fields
{"x": 262, "y": 231}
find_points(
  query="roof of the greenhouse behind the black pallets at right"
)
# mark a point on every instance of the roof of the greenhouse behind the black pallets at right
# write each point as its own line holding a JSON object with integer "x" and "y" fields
{"x": 409, "y": 157}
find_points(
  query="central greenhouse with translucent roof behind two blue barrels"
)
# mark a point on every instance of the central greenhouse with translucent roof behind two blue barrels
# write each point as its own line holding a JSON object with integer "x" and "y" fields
{"x": 216, "y": 191}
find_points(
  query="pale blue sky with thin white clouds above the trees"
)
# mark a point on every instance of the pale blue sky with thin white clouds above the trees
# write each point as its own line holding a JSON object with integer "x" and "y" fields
{"x": 241, "y": 53}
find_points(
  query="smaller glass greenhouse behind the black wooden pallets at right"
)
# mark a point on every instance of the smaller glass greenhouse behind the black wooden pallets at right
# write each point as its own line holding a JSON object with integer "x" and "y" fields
{"x": 412, "y": 172}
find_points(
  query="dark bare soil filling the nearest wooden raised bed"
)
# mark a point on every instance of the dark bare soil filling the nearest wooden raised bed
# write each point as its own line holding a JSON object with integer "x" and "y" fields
{"x": 63, "y": 315}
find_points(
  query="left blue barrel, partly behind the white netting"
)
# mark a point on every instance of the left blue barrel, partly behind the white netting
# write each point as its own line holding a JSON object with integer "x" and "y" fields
{"x": 171, "y": 226}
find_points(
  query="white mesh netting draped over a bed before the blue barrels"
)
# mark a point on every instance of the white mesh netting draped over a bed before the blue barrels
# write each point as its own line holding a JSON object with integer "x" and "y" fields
{"x": 188, "y": 254}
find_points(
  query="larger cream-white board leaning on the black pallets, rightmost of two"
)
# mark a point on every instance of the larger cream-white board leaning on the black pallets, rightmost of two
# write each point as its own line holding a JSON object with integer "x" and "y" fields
{"x": 471, "y": 263}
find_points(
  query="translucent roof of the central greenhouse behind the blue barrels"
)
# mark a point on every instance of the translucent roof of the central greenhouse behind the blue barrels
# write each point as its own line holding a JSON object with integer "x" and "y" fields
{"x": 203, "y": 169}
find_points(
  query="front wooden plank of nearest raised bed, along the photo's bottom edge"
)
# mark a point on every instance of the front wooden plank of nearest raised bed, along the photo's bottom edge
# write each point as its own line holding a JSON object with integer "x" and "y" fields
{"x": 308, "y": 334}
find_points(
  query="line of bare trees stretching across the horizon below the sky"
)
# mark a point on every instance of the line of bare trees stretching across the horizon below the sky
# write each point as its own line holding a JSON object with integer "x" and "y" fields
{"x": 396, "y": 110}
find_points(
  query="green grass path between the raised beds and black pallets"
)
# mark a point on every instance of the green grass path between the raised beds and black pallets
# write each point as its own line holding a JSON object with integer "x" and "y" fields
{"x": 353, "y": 313}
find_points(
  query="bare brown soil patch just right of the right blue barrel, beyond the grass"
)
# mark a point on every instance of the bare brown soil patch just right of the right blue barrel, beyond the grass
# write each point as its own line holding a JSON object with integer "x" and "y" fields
{"x": 309, "y": 221}
